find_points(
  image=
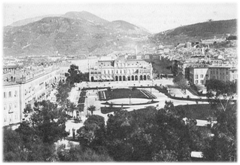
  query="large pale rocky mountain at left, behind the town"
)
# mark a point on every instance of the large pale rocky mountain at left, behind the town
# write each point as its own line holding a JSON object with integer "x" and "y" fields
{"x": 72, "y": 33}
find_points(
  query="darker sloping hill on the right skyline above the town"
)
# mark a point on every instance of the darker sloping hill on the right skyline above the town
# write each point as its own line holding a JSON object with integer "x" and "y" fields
{"x": 195, "y": 32}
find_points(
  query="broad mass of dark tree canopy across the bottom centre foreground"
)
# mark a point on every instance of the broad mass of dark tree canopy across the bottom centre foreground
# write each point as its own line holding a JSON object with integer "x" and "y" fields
{"x": 146, "y": 136}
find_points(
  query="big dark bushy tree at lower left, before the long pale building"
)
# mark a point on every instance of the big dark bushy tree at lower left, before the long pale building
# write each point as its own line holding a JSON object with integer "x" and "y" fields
{"x": 35, "y": 139}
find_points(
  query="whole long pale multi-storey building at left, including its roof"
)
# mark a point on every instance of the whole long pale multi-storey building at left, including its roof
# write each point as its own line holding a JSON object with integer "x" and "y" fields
{"x": 25, "y": 87}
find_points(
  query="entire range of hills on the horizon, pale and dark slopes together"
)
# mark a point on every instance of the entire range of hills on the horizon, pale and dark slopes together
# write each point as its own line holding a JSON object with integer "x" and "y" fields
{"x": 83, "y": 33}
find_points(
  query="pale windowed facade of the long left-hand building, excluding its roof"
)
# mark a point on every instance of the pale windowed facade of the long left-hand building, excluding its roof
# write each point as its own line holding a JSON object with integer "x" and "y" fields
{"x": 16, "y": 97}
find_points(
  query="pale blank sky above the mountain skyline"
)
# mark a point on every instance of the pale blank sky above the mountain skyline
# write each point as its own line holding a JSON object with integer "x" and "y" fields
{"x": 155, "y": 16}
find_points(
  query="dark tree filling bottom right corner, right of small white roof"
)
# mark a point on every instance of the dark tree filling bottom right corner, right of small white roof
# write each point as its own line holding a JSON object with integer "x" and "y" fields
{"x": 223, "y": 147}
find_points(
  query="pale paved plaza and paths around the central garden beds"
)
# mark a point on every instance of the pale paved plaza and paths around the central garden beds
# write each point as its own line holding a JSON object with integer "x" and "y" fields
{"x": 92, "y": 99}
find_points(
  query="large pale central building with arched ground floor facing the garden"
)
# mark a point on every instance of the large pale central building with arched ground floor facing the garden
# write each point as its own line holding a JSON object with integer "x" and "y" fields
{"x": 120, "y": 70}
